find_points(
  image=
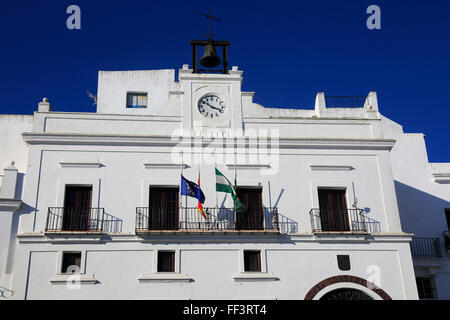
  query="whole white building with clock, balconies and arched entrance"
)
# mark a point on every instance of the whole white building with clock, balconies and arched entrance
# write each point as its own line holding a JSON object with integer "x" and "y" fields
{"x": 323, "y": 188}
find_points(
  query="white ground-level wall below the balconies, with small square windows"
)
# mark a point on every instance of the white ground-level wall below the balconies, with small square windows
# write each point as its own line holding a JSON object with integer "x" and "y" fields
{"x": 211, "y": 268}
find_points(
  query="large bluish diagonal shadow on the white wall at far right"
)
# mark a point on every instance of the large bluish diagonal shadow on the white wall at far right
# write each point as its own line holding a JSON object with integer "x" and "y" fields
{"x": 421, "y": 213}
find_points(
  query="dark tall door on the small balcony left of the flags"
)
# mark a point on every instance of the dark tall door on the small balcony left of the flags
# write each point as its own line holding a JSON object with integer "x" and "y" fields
{"x": 77, "y": 208}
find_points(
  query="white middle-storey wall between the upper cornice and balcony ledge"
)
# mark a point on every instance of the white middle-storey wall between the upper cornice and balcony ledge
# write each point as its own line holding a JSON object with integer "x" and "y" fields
{"x": 122, "y": 182}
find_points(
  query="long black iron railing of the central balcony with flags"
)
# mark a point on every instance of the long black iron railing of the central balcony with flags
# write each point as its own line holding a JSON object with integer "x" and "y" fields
{"x": 217, "y": 219}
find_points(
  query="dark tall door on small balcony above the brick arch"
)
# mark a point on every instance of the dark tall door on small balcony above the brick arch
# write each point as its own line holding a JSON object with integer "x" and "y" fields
{"x": 333, "y": 210}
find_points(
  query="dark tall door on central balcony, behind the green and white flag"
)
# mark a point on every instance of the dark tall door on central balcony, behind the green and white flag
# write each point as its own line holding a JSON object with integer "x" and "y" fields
{"x": 252, "y": 218}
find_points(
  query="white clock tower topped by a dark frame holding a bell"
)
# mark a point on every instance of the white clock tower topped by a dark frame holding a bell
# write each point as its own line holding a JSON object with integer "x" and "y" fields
{"x": 211, "y": 91}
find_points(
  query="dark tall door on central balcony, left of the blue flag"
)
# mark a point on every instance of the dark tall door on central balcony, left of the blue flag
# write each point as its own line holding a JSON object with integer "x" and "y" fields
{"x": 164, "y": 211}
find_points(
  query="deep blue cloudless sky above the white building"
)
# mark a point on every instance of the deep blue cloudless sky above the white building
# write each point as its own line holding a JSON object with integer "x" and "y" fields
{"x": 289, "y": 50}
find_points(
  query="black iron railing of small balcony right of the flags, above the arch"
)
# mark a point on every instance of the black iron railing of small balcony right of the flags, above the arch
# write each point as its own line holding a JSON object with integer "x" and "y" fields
{"x": 349, "y": 220}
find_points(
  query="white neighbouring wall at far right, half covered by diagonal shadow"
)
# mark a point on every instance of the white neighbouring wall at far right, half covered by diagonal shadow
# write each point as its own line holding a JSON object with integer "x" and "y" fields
{"x": 421, "y": 200}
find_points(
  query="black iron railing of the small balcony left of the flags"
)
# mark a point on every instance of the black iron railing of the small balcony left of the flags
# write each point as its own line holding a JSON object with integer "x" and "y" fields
{"x": 60, "y": 219}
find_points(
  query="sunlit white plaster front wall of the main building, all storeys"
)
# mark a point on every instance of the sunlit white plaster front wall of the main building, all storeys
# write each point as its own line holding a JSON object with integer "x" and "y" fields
{"x": 121, "y": 183}
